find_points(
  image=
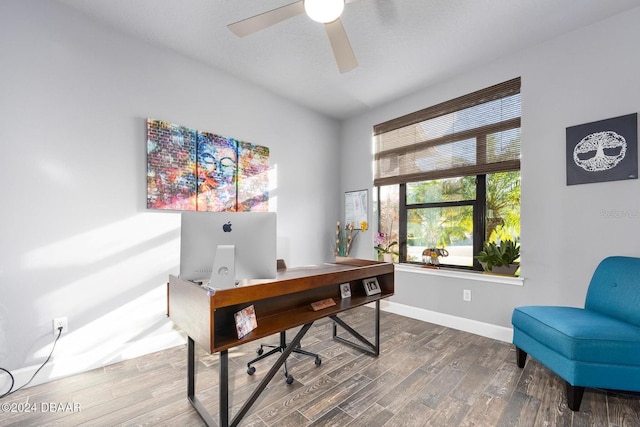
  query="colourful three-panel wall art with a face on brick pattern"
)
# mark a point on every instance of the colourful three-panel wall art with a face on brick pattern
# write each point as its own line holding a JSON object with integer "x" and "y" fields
{"x": 193, "y": 170}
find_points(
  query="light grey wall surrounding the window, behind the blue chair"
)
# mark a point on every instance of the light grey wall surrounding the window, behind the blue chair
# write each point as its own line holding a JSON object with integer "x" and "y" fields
{"x": 583, "y": 76}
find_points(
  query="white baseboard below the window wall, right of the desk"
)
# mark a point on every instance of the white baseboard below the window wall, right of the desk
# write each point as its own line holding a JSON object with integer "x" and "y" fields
{"x": 468, "y": 325}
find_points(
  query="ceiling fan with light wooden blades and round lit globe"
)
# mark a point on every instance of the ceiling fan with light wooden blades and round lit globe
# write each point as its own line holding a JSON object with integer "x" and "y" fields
{"x": 327, "y": 12}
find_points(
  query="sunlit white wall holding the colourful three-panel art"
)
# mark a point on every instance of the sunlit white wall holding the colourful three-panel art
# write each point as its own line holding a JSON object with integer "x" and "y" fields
{"x": 77, "y": 240}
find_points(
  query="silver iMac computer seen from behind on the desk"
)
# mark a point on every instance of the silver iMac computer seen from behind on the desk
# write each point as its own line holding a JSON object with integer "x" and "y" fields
{"x": 224, "y": 248}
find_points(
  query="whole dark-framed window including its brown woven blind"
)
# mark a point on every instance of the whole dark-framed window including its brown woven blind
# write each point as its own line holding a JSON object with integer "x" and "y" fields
{"x": 448, "y": 176}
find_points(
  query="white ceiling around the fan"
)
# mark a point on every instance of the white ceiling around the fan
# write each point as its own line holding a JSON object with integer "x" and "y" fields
{"x": 401, "y": 45}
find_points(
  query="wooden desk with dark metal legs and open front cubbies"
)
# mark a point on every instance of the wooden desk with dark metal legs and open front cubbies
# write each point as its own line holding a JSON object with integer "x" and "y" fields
{"x": 280, "y": 304}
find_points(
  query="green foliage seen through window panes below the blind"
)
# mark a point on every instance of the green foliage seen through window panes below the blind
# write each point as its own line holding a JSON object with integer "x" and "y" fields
{"x": 432, "y": 223}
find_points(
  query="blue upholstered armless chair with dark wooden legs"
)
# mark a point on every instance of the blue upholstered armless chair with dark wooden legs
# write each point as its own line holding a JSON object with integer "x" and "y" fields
{"x": 597, "y": 346}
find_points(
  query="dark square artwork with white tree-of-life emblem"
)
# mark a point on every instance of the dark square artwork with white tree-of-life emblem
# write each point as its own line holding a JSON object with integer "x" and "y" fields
{"x": 606, "y": 150}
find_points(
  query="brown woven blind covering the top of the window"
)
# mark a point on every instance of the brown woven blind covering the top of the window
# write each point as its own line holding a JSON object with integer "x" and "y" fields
{"x": 474, "y": 134}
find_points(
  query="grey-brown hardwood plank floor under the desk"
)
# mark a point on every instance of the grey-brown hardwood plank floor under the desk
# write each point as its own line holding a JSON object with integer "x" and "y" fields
{"x": 426, "y": 375}
